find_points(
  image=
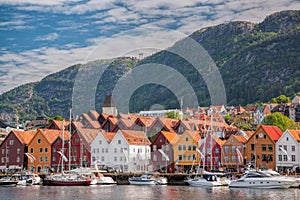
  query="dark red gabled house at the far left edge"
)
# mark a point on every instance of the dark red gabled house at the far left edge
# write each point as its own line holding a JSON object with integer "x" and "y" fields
{"x": 13, "y": 149}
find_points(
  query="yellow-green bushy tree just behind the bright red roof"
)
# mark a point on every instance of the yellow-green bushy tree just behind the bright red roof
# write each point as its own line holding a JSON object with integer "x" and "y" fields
{"x": 281, "y": 121}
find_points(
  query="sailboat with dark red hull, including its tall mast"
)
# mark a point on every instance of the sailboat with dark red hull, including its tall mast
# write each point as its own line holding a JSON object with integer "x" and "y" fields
{"x": 65, "y": 179}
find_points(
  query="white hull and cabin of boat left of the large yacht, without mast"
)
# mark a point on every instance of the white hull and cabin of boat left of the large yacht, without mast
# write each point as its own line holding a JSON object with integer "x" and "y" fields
{"x": 209, "y": 180}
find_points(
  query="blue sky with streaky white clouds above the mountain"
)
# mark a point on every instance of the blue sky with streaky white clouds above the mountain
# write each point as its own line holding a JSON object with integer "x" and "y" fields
{"x": 40, "y": 37}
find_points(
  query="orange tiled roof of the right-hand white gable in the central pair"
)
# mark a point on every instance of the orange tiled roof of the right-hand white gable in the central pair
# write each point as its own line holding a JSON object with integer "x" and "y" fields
{"x": 135, "y": 137}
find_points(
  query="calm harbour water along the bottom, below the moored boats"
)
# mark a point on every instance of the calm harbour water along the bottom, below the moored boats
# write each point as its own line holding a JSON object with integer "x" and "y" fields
{"x": 143, "y": 192}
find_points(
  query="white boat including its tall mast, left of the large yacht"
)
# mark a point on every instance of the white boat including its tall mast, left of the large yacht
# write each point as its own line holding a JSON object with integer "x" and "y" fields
{"x": 208, "y": 179}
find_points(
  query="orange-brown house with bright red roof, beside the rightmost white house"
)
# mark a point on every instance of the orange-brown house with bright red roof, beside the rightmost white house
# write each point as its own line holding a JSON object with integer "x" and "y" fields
{"x": 261, "y": 146}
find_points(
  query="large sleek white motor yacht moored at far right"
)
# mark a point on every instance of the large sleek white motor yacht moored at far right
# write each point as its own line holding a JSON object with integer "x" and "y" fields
{"x": 259, "y": 179}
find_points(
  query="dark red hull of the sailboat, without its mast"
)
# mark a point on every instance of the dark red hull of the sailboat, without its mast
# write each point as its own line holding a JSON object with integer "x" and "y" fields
{"x": 66, "y": 180}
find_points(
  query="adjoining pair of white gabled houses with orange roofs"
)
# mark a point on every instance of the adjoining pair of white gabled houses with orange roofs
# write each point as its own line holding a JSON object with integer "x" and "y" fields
{"x": 126, "y": 150}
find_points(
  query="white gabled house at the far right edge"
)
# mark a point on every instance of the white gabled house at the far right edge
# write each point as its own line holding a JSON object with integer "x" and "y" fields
{"x": 288, "y": 151}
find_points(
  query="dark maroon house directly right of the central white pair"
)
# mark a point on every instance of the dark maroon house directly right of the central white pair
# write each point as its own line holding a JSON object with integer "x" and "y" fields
{"x": 162, "y": 151}
